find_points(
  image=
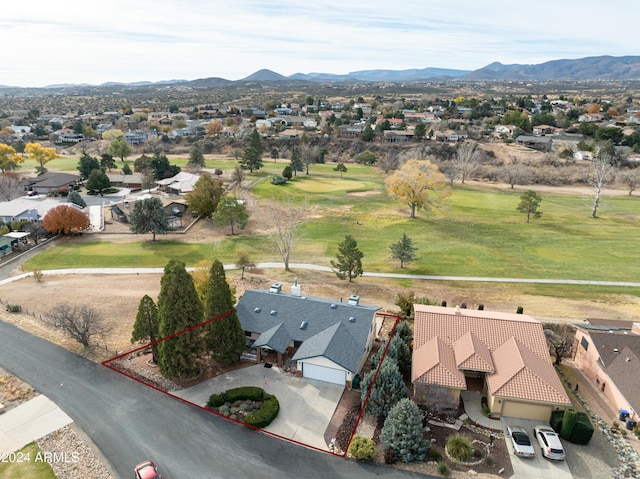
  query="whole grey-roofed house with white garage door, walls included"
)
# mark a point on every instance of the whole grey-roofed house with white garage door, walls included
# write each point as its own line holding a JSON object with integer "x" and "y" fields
{"x": 327, "y": 340}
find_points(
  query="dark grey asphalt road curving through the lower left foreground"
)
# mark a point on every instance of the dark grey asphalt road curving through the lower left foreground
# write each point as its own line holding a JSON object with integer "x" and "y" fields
{"x": 130, "y": 422}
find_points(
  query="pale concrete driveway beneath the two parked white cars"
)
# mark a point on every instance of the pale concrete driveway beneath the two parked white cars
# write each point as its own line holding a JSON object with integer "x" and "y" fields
{"x": 537, "y": 467}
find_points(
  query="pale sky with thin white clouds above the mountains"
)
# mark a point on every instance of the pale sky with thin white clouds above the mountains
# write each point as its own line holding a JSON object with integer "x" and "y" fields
{"x": 46, "y": 43}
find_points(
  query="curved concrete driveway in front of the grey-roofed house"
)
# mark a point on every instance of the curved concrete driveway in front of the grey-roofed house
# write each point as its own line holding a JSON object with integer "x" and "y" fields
{"x": 306, "y": 405}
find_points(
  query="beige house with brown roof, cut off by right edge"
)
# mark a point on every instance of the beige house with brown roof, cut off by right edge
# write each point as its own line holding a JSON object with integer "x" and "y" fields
{"x": 608, "y": 352}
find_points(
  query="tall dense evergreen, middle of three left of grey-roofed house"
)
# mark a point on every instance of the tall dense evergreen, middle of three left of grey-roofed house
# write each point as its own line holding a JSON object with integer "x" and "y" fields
{"x": 179, "y": 308}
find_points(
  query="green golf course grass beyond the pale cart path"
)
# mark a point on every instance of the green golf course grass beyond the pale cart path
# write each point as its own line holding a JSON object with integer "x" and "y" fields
{"x": 476, "y": 232}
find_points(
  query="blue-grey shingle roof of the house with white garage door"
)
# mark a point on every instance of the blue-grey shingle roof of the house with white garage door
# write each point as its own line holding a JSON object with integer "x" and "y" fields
{"x": 336, "y": 330}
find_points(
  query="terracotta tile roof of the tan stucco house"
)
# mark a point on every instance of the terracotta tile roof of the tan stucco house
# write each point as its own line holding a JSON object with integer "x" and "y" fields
{"x": 510, "y": 348}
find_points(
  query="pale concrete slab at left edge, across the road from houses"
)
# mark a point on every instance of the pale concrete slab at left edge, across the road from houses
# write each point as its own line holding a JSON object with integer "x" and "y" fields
{"x": 30, "y": 421}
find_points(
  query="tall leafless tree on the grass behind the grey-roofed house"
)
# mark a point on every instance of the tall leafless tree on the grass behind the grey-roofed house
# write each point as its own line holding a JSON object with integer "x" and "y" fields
{"x": 285, "y": 219}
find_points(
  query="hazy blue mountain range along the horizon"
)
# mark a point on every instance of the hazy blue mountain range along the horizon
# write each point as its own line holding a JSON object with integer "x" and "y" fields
{"x": 583, "y": 69}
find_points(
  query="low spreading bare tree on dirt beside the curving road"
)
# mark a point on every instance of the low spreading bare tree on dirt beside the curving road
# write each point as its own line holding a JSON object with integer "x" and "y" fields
{"x": 78, "y": 322}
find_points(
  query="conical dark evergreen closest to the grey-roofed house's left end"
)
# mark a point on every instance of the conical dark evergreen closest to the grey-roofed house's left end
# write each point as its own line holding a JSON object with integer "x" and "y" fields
{"x": 225, "y": 337}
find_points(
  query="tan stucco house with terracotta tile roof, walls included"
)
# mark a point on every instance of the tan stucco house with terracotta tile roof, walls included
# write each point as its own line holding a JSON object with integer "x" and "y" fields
{"x": 503, "y": 355}
